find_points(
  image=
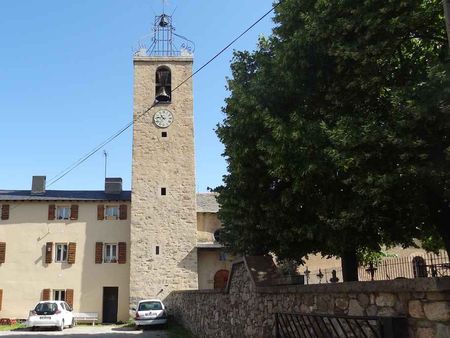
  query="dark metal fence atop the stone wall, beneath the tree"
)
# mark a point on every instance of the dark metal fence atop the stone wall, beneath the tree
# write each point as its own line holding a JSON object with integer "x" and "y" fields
{"x": 426, "y": 265}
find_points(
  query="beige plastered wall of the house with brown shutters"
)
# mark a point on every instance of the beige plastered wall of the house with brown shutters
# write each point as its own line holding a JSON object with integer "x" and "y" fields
{"x": 24, "y": 274}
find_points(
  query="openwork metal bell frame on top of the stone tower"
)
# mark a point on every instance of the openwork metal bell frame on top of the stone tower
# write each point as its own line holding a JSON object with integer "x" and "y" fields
{"x": 162, "y": 44}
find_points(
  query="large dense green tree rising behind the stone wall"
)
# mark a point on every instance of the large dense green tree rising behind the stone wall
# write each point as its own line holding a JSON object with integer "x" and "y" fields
{"x": 336, "y": 131}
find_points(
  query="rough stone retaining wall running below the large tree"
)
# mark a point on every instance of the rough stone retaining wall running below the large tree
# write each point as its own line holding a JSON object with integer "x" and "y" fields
{"x": 247, "y": 307}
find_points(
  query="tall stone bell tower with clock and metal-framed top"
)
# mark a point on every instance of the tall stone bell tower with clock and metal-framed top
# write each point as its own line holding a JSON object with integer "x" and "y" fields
{"x": 163, "y": 254}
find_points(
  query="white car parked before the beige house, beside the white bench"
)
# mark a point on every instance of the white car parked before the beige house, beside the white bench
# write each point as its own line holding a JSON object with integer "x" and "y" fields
{"x": 51, "y": 313}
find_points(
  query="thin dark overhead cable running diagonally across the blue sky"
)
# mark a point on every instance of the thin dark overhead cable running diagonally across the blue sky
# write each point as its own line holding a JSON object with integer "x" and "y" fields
{"x": 85, "y": 157}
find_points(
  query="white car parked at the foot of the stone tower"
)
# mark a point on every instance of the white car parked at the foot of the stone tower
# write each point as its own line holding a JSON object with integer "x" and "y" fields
{"x": 150, "y": 312}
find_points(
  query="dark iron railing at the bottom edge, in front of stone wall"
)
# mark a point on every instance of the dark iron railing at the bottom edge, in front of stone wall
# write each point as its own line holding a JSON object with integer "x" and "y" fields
{"x": 295, "y": 325}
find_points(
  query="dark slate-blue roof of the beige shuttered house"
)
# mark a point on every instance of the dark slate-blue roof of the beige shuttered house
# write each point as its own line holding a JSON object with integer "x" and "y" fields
{"x": 63, "y": 195}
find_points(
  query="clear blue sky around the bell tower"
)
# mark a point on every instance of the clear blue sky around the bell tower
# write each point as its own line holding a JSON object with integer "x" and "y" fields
{"x": 66, "y": 83}
